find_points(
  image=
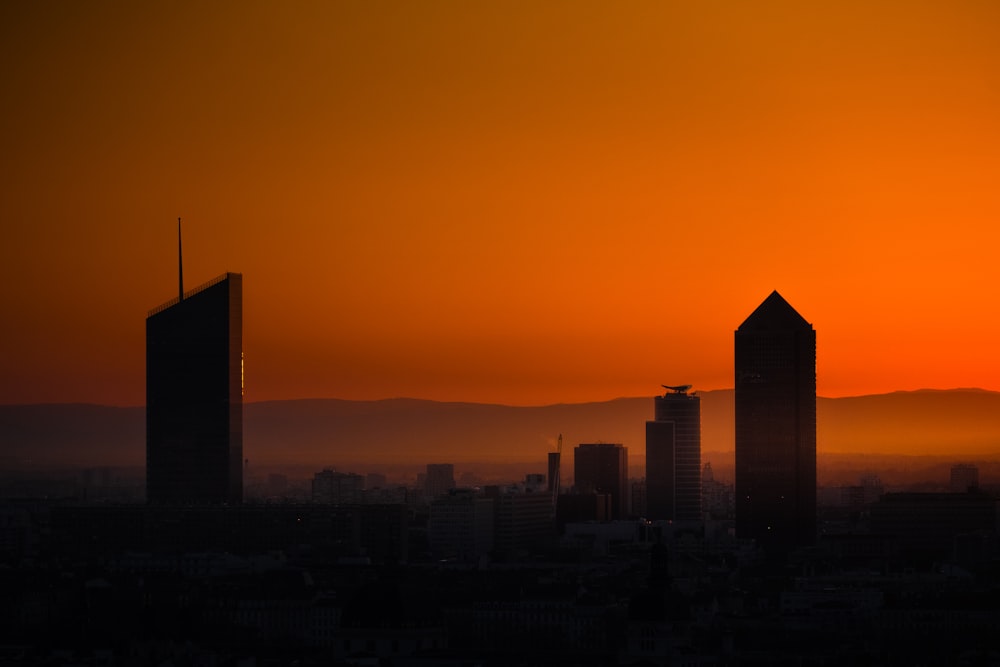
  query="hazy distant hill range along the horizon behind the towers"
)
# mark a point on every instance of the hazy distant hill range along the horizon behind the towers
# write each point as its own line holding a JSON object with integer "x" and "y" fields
{"x": 959, "y": 423}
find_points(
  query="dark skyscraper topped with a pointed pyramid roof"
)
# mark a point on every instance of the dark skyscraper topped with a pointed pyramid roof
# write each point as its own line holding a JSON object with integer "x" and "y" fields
{"x": 776, "y": 426}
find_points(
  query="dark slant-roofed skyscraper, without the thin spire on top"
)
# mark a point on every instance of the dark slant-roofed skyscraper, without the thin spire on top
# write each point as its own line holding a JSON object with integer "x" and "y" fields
{"x": 194, "y": 396}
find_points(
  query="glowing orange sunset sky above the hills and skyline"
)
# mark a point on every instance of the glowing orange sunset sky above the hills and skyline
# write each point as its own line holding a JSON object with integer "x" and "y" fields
{"x": 501, "y": 202}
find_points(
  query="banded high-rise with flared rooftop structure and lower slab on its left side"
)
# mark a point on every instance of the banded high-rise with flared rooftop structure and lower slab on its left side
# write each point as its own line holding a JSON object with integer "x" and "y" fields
{"x": 673, "y": 457}
